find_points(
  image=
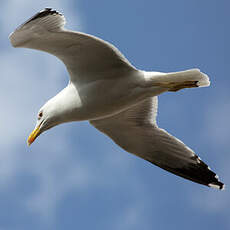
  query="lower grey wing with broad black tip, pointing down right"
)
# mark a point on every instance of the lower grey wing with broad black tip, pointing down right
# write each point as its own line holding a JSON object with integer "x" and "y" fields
{"x": 136, "y": 131}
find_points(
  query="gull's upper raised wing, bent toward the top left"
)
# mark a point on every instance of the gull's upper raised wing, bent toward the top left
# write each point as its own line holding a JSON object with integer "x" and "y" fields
{"x": 86, "y": 57}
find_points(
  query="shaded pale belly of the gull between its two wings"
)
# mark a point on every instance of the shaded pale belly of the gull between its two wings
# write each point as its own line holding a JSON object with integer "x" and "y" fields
{"x": 105, "y": 98}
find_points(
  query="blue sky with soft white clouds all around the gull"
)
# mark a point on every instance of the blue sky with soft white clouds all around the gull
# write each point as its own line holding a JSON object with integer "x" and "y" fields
{"x": 74, "y": 177}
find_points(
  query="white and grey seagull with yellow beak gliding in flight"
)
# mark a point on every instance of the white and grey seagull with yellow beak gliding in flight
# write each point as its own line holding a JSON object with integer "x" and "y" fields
{"x": 115, "y": 97}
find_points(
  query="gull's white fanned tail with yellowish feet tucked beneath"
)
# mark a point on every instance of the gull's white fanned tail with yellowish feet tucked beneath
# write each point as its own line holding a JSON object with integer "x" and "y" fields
{"x": 180, "y": 80}
